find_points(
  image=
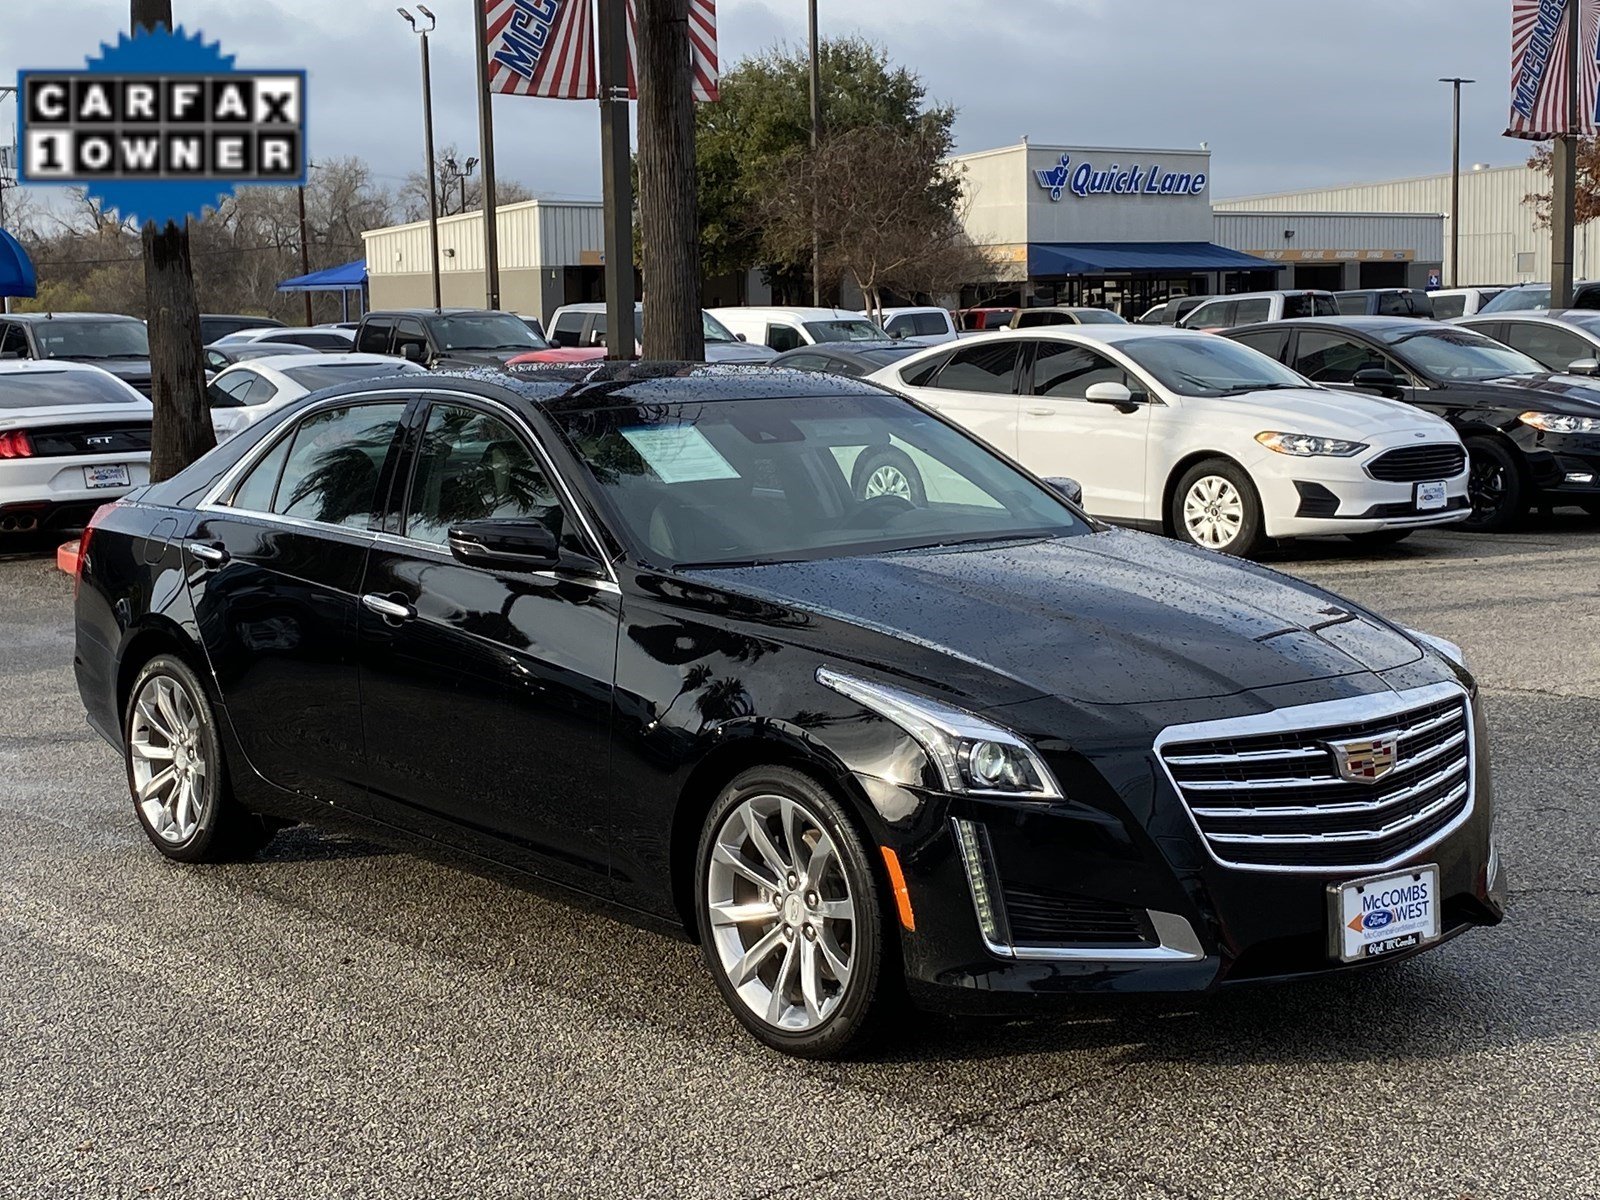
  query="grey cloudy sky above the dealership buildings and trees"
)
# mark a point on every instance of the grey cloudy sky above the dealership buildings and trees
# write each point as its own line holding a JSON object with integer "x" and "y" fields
{"x": 1289, "y": 94}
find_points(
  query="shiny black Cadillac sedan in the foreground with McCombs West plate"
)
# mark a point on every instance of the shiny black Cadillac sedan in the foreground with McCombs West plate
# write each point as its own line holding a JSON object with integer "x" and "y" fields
{"x": 633, "y": 633}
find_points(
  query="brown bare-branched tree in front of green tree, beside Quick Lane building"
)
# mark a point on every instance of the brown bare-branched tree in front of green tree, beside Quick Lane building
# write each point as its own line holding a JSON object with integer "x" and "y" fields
{"x": 884, "y": 202}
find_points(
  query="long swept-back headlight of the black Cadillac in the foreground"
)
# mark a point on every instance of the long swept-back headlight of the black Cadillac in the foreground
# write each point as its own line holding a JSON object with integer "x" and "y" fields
{"x": 972, "y": 756}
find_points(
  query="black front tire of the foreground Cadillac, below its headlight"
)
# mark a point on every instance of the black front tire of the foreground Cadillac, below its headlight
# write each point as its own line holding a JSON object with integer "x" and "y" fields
{"x": 858, "y": 1009}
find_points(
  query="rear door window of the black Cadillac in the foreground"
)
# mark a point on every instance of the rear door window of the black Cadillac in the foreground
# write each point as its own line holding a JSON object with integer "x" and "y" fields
{"x": 329, "y": 470}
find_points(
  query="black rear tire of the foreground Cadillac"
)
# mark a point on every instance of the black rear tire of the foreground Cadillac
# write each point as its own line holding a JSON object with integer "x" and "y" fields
{"x": 225, "y": 833}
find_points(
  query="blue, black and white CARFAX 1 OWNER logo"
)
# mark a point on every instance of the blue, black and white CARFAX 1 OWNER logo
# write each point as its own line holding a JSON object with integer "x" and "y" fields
{"x": 161, "y": 127}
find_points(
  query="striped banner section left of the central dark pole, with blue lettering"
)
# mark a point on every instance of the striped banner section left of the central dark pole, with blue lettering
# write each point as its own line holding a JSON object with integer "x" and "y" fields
{"x": 543, "y": 49}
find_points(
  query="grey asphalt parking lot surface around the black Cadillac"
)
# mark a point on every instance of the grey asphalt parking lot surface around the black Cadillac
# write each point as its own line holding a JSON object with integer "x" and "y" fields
{"x": 345, "y": 1022}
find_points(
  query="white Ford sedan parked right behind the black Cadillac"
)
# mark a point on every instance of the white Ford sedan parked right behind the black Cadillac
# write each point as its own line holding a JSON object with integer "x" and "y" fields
{"x": 1186, "y": 434}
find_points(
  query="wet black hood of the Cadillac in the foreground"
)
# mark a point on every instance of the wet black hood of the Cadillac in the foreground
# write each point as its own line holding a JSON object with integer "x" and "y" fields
{"x": 1106, "y": 618}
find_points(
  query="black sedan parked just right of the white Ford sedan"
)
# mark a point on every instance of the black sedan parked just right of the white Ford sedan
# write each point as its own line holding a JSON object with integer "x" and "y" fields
{"x": 1534, "y": 438}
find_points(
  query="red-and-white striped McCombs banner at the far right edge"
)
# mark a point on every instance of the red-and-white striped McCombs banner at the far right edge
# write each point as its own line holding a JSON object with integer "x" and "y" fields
{"x": 1538, "y": 68}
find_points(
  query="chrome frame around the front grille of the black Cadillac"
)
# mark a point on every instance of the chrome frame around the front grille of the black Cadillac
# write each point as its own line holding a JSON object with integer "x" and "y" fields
{"x": 1302, "y": 719}
